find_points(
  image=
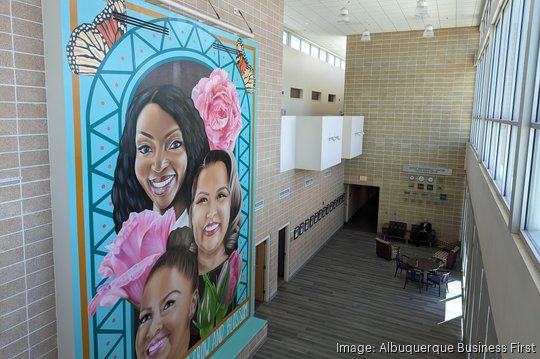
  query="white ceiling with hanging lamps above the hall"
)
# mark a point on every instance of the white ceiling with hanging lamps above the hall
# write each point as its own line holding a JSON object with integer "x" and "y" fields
{"x": 317, "y": 20}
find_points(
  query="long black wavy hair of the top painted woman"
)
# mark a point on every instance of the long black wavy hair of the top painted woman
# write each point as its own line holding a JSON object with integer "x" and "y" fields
{"x": 127, "y": 193}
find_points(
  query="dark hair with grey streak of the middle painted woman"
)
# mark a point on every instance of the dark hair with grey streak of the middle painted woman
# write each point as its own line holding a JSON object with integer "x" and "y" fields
{"x": 235, "y": 219}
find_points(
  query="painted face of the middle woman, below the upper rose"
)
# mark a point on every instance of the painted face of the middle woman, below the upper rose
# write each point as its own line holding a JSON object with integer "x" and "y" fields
{"x": 211, "y": 209}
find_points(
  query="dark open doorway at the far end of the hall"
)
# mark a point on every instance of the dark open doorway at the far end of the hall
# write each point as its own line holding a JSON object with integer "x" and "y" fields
{"x": 364, "y": 208}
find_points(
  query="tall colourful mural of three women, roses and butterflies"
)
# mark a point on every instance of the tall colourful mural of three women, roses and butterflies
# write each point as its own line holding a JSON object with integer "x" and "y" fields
{"x": 162, "y": 129}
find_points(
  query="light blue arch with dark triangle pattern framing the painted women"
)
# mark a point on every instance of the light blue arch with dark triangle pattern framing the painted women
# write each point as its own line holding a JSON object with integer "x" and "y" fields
{"x": 136, "y": 54}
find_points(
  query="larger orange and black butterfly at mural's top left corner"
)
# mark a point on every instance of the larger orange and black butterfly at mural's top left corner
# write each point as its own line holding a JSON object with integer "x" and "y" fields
{"x": 89, "y": 43}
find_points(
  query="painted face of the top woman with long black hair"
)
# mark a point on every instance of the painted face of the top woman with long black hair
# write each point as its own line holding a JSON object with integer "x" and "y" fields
{"x": 161, "y": 158}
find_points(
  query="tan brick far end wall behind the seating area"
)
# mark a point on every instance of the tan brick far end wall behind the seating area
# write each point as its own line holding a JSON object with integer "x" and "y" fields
{"x": 416, "y": 95}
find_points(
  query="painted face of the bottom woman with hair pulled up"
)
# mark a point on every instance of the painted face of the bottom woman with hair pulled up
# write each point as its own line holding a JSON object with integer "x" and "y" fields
{"x": 166, "y": 308}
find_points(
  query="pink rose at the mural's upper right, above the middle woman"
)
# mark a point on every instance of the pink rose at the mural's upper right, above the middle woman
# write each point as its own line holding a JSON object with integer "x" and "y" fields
{"x": 217, "y": 101}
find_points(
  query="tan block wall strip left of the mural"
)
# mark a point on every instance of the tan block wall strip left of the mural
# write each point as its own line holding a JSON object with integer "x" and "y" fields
{"x": 27, "y": 298}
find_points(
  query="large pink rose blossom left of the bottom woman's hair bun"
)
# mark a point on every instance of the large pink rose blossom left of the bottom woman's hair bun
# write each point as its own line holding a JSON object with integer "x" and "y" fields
{"x": 138, "y": 245}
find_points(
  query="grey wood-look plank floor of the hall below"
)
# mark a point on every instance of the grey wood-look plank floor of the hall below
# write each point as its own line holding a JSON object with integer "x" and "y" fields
{"x": 347, "y": 295}
